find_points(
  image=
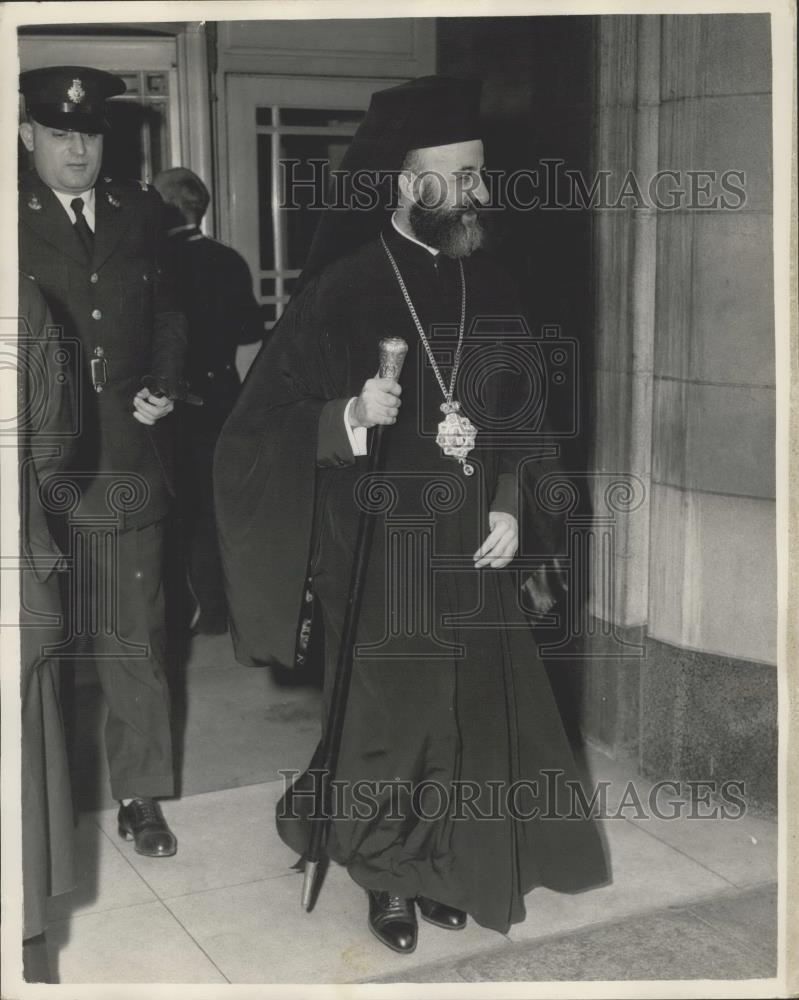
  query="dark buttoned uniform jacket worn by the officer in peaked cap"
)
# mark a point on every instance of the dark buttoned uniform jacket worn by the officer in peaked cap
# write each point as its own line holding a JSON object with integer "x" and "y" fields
{"x": 120, "y": 305}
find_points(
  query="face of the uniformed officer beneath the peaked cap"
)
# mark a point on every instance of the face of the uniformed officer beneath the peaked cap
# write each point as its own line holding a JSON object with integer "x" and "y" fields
{"x": 66, "y": 161}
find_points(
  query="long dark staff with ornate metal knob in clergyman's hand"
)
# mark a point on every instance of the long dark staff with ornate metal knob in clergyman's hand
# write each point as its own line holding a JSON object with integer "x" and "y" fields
{"x": 392, "y": 356}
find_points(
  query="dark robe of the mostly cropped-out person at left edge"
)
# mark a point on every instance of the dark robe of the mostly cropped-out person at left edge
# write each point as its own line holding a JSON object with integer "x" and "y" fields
{"x": 46, "y": 408}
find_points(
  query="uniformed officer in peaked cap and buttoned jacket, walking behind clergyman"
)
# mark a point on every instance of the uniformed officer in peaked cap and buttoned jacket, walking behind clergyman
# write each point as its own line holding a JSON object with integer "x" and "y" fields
{"x": 95, "y": 249}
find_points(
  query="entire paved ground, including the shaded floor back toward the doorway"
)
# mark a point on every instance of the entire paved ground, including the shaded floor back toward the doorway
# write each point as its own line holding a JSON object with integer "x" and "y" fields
{"x": 689, "y": 898}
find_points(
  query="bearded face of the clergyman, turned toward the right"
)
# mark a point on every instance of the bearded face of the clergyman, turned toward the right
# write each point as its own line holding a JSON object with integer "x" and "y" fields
{"x": 449, "y": 192}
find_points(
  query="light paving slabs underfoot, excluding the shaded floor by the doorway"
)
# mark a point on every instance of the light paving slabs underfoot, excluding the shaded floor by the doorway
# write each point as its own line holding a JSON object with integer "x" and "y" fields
{"x": 687, "y": 900}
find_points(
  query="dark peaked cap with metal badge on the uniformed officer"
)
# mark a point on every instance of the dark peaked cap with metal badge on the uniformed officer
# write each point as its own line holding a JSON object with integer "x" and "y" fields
{"x": 69, "y": 97}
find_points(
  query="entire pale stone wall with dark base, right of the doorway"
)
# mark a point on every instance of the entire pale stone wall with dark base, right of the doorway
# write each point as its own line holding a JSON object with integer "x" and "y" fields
{"x": 685, "y": 392}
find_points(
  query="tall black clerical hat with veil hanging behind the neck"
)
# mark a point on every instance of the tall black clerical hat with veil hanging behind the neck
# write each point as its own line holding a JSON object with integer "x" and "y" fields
{"x": 428, "y": 111}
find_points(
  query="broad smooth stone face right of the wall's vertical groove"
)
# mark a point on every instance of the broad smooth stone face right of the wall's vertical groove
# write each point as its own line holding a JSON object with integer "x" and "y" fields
{"x": 709, "y": 683}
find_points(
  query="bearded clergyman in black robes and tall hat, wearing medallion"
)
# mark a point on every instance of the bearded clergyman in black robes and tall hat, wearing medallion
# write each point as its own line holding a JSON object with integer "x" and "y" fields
{"x": 449, "y": 701}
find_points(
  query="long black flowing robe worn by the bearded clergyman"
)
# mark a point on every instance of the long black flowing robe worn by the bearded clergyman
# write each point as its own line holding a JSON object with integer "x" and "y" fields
{"x": 449, "y": 697}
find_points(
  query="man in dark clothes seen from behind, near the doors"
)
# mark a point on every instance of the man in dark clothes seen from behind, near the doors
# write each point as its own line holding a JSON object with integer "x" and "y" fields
{"x": 215, "y": 292}
